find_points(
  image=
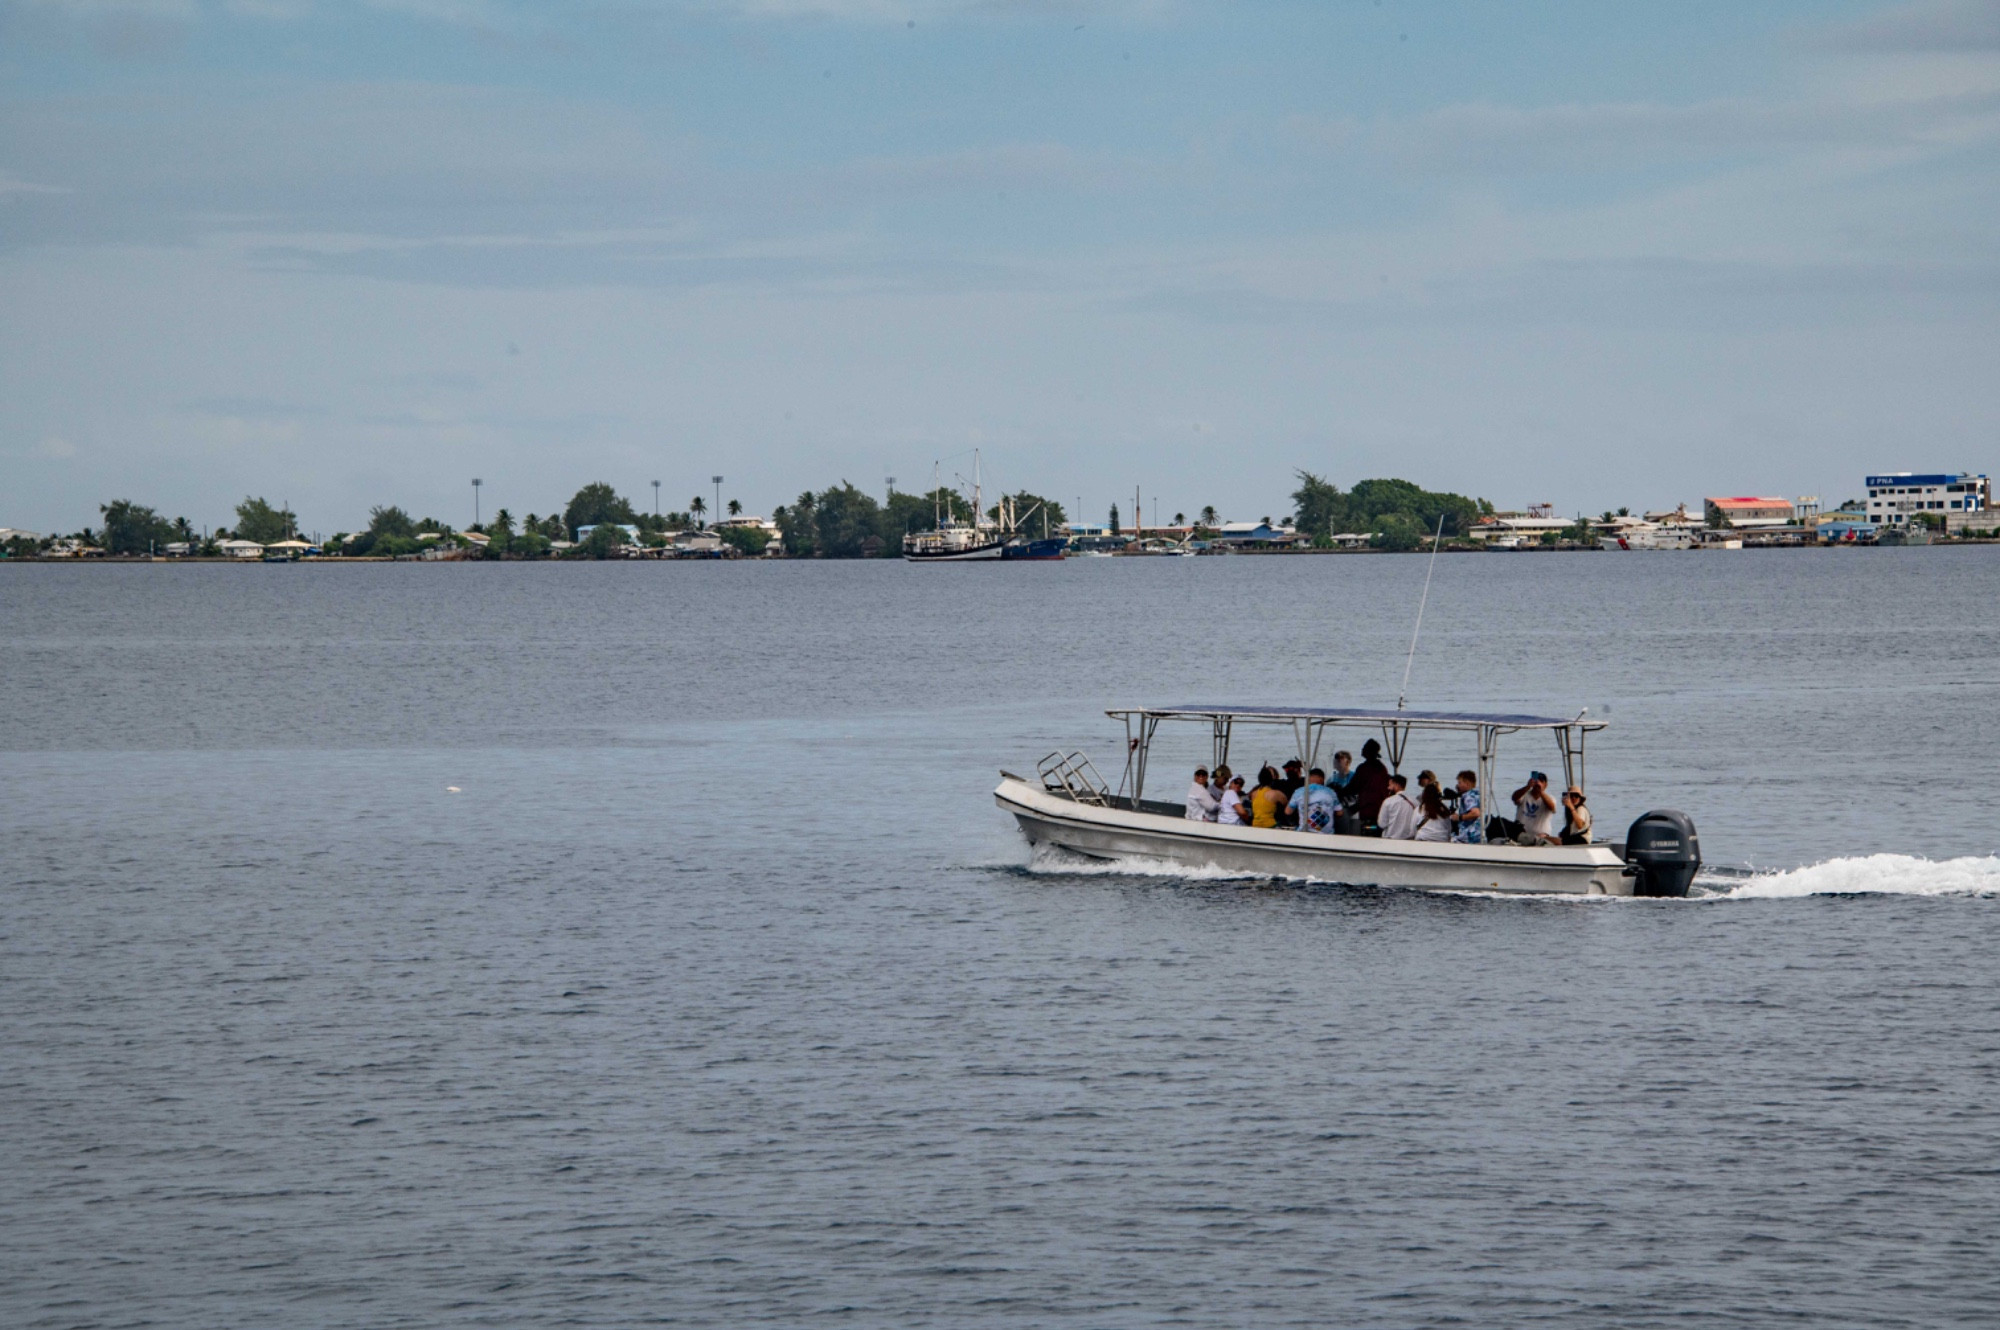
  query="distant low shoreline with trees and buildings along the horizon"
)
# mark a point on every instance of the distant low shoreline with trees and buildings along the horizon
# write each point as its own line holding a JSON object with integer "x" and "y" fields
{"x": 1381, "y": 515}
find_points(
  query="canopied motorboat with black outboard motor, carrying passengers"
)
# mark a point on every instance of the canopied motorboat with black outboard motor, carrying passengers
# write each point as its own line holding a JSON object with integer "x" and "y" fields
{"x": 1073, "y": 809}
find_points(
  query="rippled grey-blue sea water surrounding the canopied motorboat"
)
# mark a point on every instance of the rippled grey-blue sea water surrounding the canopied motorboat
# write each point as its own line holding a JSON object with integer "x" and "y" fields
{"x": 605, "y": 945}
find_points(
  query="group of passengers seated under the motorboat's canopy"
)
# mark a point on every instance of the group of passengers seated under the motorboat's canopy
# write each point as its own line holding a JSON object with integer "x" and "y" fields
{"x": 1373, "y": 801}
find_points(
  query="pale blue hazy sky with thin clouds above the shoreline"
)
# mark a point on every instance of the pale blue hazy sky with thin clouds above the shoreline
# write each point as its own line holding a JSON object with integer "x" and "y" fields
{"x": 349, "y": 255}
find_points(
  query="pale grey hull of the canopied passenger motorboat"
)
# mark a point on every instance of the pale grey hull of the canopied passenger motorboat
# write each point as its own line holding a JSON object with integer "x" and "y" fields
{"x": 1119, "y": 833}
